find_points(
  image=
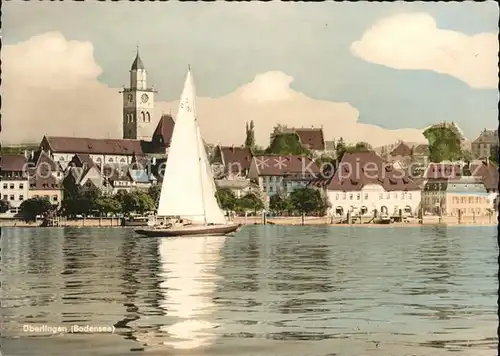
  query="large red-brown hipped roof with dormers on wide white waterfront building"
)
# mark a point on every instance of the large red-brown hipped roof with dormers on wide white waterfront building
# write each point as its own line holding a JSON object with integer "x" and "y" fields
{"x": 358, "y": 169}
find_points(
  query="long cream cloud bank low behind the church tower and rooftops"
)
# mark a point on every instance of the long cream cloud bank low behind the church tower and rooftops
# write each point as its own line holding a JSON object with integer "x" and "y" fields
{"x": 50, "y": 87}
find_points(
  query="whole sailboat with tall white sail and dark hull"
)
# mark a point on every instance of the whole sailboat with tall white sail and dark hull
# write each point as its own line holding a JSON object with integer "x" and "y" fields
{"x": 187, "y": 196}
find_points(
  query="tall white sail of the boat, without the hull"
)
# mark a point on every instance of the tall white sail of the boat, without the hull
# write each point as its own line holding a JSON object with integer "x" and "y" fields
{"x": 188, "y": 189}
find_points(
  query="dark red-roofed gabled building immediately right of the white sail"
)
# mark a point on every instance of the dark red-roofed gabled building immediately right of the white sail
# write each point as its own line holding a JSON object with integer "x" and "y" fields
{"x": 231, "y": 162}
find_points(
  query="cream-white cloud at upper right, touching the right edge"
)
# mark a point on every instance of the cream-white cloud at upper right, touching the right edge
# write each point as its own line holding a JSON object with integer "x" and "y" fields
{"x": 413, "y": 41}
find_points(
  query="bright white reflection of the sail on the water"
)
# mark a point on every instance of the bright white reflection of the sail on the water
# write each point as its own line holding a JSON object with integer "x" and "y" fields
{"x": 188, "y": 266}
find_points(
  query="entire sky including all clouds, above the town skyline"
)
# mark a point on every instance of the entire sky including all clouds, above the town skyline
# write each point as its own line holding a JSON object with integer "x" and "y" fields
{"x": 375, "y": 72}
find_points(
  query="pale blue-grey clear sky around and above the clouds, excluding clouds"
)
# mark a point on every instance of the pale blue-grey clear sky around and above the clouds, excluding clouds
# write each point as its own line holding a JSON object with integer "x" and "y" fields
{"x": 229, "y": 44}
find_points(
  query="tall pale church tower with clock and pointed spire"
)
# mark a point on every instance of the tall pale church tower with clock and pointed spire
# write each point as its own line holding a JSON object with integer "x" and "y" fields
{"x": 138, "y": 104}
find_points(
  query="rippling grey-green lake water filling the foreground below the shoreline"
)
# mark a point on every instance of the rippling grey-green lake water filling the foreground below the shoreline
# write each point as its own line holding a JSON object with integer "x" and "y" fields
{"x": 268, "y": 290}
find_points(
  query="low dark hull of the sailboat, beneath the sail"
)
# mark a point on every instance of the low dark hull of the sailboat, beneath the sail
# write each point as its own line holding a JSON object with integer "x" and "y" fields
{"x": 190, "y": 230}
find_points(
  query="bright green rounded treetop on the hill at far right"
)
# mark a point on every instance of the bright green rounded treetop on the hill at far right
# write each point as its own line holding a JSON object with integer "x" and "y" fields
{"x": 444, "y": 144}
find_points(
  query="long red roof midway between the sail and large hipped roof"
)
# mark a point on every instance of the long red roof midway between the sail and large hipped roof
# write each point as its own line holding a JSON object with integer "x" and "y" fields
{"x": 274, "y": 165}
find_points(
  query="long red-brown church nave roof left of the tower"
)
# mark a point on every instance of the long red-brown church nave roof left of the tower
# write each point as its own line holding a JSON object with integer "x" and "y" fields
{"x": 93, "y": 145}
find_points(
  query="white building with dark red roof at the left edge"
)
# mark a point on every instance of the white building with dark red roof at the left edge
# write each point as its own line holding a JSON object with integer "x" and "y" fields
{"x": 14, "y": 180}
